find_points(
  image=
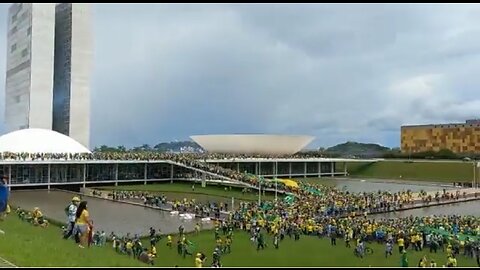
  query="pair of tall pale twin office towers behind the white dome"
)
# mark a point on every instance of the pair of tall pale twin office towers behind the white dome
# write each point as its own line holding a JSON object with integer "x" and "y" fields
{"x": 49, "y": 57}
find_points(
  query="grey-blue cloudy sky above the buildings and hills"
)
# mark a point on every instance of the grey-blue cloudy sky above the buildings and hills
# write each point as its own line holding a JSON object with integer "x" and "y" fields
{"x": 338, "y": 72}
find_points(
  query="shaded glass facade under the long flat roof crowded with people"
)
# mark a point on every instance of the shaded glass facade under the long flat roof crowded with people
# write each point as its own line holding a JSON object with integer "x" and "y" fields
{"x": 30, "y": 174}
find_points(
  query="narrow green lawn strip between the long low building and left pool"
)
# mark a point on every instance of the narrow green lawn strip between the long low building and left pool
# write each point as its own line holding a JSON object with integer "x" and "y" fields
{"x": 209, "y": 193}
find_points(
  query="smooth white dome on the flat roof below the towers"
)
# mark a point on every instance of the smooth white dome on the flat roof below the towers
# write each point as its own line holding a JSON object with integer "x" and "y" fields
{"x": 35, "y": 140}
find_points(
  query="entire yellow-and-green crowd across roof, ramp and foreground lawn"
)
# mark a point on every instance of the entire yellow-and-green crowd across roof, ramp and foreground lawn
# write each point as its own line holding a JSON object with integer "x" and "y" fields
{"x": 322, "y": 211}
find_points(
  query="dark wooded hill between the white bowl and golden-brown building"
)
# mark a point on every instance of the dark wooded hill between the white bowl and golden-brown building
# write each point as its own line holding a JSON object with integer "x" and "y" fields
{"x": 358, "y": 149}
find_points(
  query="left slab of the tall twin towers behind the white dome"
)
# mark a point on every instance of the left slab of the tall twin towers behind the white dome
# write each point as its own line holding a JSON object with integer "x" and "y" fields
{"x": 30, "y": 57}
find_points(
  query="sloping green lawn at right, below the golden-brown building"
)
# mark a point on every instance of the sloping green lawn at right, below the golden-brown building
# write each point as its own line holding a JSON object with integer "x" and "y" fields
{"x": 428, "y": 171}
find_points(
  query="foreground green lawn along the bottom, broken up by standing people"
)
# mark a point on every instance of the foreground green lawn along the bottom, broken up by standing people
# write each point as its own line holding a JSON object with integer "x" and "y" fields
{"x": 26, "y": 245}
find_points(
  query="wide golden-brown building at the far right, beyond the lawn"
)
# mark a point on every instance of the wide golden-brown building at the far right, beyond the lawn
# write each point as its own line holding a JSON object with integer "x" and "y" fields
{"x": 457, "y": 137}
